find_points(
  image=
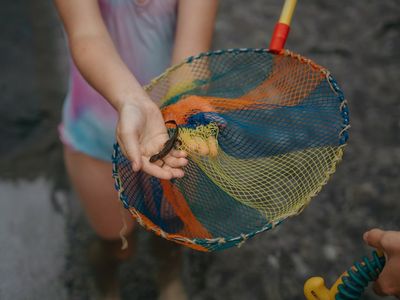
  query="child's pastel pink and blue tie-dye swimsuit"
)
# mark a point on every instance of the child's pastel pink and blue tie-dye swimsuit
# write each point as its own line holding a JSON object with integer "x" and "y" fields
{"x": 143, "y": 33}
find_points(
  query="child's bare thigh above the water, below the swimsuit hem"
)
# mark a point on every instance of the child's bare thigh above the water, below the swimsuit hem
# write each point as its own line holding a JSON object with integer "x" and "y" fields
{"x": 91, "y": 179}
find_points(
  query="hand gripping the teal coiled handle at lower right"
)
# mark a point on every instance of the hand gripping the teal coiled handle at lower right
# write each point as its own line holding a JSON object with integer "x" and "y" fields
{"x": 388, "y": 282}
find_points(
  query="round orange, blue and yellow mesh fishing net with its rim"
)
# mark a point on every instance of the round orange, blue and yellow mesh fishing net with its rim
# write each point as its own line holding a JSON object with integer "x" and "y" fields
{"x": 274, "y": 126}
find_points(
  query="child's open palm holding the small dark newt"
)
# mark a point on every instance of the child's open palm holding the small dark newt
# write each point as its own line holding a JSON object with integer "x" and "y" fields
{"x": 141, "y": 133}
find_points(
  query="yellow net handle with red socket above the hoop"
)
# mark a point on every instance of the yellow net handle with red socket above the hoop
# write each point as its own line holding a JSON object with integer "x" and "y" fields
{"x": 282, "y": 28}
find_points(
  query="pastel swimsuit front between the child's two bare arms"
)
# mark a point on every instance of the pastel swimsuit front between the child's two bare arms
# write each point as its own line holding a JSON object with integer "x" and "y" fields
{"x": 143, "y": 32}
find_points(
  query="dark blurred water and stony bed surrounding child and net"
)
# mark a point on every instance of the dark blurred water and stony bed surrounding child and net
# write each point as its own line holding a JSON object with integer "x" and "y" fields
{"x": 43, "y": 233}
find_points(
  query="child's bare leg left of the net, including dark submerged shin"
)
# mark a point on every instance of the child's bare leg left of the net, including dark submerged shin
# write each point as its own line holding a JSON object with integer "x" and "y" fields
{"x": 92, "y": 181}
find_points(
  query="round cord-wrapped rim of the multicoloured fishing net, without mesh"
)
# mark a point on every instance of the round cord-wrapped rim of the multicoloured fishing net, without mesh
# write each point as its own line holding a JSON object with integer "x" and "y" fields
{"x": 220, "y": 243}
